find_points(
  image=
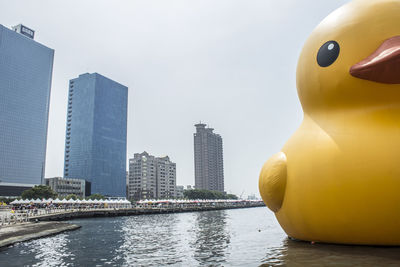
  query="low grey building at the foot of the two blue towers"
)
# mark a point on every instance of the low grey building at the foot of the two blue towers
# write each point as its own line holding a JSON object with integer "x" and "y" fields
{"x": 66, "y": 186}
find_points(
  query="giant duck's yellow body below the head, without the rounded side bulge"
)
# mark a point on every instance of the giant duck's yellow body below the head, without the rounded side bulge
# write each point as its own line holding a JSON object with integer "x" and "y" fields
{"x": 343, "y": 181}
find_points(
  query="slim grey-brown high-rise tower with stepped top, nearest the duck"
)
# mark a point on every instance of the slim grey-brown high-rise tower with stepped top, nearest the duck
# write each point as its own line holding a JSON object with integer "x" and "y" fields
{"x": 208, "y": 159}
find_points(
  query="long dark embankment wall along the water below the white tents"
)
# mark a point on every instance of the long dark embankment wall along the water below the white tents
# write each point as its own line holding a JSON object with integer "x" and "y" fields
{"x": 72, "y": 214}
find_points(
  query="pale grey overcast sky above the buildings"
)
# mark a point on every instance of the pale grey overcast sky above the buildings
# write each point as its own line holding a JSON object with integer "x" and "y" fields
{"x": 230, "y": 64}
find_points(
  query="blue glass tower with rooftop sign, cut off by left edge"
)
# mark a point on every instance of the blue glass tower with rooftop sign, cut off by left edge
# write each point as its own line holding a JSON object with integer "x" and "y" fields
{"x": 26, "y": 68}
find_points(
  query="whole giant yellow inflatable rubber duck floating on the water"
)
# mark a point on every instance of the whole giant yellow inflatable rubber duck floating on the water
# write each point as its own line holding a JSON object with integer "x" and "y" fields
{"x": 337, "y": 179}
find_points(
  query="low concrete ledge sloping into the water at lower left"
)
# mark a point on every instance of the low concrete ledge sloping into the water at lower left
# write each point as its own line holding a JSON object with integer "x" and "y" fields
{"x": 26, "y": 231}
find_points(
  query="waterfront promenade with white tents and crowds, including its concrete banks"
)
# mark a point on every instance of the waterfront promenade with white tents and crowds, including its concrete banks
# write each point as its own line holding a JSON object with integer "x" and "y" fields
{"x": 18, "y": 225}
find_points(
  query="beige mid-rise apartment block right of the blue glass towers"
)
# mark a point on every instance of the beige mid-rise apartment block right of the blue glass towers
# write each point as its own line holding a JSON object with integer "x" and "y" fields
{"x": 151, "y": 177}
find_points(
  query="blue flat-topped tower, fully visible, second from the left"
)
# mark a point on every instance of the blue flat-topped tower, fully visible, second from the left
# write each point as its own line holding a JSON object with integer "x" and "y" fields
{"x": 95, "y": 142}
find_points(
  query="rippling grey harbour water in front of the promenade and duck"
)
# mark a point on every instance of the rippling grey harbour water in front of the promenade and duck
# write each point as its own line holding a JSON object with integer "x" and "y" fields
{"x": 241, "y": 237}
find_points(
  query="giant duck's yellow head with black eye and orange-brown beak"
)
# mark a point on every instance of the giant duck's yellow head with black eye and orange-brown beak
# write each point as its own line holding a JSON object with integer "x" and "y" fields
{"x": 352, "y": 58}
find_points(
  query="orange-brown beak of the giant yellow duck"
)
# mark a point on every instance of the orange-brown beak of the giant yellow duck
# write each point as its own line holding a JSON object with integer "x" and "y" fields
{"x": 381, "y": 66}
